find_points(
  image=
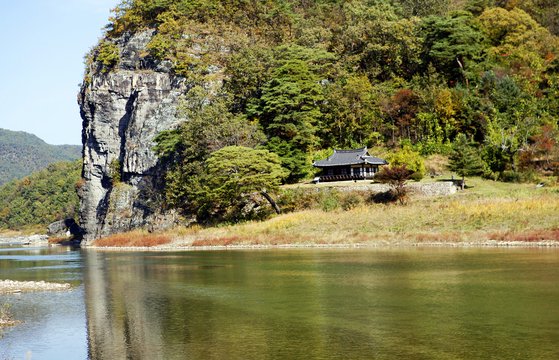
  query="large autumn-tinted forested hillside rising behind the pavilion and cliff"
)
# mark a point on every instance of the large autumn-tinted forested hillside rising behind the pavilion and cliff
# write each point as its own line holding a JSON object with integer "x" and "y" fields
{"x": 299, "y": 78}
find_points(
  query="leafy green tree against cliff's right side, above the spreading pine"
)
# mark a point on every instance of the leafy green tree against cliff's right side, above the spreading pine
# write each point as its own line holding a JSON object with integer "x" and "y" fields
{"x": 208, "y": 127}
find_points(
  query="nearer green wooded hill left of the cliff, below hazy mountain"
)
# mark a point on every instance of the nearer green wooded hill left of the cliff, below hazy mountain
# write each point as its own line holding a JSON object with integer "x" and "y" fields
{"x": 41, "y": 198}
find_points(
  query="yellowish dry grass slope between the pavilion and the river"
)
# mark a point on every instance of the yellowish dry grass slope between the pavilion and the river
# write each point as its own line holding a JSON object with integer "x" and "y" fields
{"x": 464, "y": 218}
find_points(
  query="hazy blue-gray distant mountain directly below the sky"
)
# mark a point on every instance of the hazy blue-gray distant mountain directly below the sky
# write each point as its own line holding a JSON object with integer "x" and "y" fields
{"x": 22, "y": 153}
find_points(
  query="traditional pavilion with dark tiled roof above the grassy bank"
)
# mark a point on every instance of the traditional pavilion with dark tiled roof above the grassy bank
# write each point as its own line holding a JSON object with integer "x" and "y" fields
{"x": 354, "y": 164}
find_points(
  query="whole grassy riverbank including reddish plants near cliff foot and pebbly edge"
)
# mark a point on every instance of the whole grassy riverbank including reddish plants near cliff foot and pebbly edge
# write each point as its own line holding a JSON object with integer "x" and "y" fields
{"x": 487, "y": 214}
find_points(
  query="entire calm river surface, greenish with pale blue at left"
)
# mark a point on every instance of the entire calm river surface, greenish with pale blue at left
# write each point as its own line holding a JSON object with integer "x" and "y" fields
{"x": 286, "y": 304}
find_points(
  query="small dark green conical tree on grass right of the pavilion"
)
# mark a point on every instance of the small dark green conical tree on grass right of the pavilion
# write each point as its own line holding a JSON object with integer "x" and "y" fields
{"x": 465, "y": 159}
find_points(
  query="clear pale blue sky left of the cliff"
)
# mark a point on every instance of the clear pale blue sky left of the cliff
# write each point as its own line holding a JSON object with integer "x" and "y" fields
{"x": 42, "y": 47}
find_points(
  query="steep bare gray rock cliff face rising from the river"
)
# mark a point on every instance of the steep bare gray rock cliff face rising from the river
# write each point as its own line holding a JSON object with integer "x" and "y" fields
{"x": 122, "y": 111}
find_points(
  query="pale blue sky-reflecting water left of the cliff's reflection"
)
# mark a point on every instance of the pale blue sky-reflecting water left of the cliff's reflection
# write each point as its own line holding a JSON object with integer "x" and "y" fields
{"x": 52, "y": 323}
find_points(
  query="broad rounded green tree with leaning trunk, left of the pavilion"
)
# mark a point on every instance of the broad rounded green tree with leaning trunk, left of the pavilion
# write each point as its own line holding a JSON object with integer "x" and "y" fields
{"x": 233, "y": 175}
